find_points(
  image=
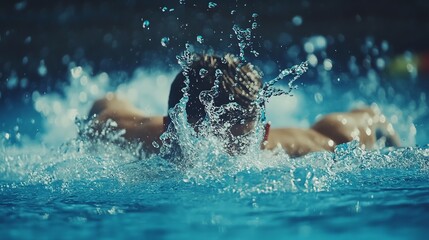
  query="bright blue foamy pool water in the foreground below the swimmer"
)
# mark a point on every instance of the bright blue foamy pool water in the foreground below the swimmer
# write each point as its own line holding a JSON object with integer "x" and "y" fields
{"x": 348, "y": 194}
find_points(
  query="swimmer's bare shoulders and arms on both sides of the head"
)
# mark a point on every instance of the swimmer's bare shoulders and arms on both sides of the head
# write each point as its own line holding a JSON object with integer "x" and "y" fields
{"x": 324, "y": 135}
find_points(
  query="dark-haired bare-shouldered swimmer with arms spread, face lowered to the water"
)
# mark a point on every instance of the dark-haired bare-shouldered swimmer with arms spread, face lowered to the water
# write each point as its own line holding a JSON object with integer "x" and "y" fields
{"x": 365, "y": 125}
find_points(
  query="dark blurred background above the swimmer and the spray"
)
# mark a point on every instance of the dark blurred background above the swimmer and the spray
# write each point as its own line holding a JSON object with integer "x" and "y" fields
{"x": 108, "y": 36}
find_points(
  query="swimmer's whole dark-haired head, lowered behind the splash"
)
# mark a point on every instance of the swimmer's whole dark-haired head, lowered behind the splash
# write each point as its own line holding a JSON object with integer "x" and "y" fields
{"x": 239, "y": 86}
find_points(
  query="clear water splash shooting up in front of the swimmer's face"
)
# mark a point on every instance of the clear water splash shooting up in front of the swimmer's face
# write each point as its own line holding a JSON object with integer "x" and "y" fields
{"x": 205, "y": 154}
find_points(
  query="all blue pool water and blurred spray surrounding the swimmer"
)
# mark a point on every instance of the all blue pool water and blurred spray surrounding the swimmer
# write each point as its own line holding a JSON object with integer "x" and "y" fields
{"x": 55, "y": 184}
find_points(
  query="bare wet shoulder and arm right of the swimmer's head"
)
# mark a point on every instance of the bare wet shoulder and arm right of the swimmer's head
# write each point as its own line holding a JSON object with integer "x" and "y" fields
{"x": 333, "y": 129}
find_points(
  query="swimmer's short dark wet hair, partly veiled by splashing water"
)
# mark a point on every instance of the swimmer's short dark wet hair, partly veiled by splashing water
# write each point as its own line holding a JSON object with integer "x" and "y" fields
{"x": 238, "y": 83}
